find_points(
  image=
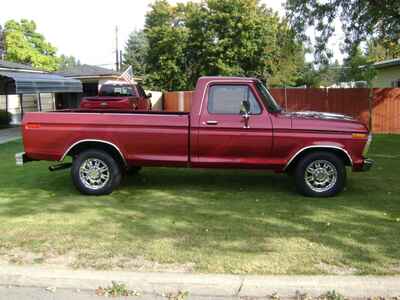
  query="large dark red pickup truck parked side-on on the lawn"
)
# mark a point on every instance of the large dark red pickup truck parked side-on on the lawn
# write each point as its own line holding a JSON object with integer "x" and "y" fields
{"x": 233, "y": 123}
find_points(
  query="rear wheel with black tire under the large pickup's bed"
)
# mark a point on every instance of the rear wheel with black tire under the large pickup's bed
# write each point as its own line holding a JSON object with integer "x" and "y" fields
{"x": 95, "y": 172}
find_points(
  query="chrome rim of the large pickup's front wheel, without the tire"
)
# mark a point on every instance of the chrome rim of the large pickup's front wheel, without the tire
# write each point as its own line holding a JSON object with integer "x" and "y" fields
{"x": 321, "y": 175}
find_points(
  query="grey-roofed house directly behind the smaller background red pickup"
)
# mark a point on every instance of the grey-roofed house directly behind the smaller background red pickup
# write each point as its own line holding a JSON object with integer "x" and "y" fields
{"x": 91, "y": 77}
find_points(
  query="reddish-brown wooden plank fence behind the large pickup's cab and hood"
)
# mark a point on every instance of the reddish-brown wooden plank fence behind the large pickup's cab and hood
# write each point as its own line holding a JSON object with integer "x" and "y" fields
{"x": 354, "y": 102}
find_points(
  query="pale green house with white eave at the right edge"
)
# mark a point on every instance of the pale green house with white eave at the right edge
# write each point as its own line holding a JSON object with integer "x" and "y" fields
{"x": 387, "y": 74}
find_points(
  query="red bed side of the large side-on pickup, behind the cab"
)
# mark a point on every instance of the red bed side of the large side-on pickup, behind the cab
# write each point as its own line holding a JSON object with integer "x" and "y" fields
{"x": 146, "y": 138}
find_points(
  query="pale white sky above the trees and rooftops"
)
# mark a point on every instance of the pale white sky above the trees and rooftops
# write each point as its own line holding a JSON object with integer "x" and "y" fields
{"x": 86, "y": 28}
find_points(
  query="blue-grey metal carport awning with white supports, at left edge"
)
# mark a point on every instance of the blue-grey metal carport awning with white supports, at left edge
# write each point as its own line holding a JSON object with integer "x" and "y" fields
{"x": 33, "y": 84}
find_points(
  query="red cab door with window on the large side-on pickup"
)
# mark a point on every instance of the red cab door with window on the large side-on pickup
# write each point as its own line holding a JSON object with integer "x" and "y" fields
{"x": 225, "y": 139}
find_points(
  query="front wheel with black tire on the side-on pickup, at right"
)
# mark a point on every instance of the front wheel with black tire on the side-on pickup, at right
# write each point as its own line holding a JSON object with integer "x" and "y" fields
{"x": 320, "y": 174}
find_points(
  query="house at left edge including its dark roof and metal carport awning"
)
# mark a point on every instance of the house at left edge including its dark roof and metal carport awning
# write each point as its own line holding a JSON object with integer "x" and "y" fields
{"x": 26, "y": 89}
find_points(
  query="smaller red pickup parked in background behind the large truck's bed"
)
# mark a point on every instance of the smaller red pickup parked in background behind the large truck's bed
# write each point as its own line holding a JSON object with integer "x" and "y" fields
{"x": 121, "y": 96}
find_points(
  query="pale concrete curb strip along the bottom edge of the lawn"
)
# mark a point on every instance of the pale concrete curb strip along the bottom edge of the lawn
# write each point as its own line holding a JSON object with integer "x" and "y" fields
{"x": 203, "y": 285}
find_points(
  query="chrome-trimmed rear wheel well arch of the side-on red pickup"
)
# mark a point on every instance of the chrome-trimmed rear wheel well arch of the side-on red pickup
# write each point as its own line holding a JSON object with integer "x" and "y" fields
{"x": 108, "y": 148}
